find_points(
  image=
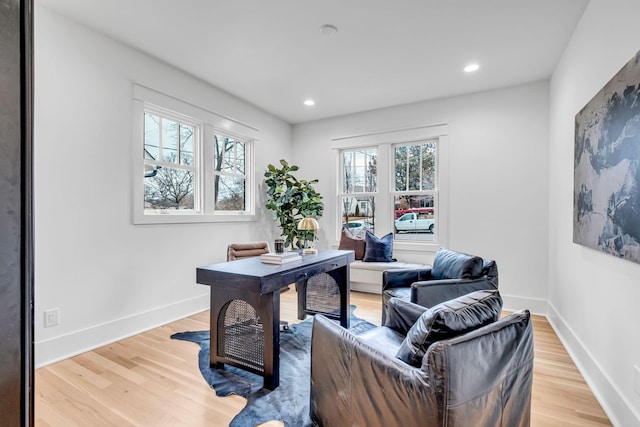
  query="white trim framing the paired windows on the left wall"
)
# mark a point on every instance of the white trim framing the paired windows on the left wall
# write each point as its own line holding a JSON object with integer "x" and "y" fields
{"x": 210, "y": 124}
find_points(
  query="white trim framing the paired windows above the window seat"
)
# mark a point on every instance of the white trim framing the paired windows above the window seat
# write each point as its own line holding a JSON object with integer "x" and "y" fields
{"x": 384, "y": 141}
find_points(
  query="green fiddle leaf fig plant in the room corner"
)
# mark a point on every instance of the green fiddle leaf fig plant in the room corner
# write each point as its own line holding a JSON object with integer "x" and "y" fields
{"x": 292, "y": 199}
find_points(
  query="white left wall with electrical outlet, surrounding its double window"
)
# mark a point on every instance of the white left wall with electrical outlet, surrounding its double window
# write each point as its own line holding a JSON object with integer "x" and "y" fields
{"x": 108, "y": 277}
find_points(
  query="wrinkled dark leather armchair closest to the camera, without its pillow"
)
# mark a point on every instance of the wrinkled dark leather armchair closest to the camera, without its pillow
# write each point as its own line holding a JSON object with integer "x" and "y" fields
{"x": 479, "y": 378}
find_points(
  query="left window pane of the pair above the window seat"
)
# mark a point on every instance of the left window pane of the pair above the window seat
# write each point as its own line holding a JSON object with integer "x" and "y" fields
{"x": 357, "y": 200}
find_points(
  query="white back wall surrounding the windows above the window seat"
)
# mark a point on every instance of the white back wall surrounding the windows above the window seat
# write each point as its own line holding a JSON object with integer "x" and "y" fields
{"x": 498, "y": 178}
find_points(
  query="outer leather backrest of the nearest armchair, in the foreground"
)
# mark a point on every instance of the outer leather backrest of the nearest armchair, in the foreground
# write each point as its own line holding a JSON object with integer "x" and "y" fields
{"x": 484, "y": 378}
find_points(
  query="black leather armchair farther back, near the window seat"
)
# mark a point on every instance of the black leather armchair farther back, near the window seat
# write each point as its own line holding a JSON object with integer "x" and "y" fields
{"x": 453, "y": 274}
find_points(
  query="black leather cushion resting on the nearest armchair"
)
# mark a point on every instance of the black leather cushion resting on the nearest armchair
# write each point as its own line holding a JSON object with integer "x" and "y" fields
{"x": 447, "y": 320}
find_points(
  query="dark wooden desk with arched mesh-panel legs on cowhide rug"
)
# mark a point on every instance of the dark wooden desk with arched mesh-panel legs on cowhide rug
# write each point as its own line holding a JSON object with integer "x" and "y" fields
{"x": 245, "y": 306}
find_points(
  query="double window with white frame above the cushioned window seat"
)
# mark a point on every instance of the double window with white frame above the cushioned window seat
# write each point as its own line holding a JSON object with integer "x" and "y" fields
{"x": 391, "y": 181}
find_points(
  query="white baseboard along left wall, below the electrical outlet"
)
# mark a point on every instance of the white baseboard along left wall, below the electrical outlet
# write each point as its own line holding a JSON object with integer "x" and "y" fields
{"x": 62, "y": 347}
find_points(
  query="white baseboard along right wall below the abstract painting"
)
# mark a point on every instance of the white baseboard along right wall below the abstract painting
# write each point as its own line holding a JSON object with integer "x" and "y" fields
{"x": 614, "y": 404}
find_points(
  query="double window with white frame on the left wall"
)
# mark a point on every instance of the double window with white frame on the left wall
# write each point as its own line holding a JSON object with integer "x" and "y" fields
{"x": 188, "y": 168}
